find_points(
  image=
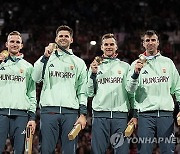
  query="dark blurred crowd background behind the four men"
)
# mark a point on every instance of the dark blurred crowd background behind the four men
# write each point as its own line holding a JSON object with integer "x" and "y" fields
{"x": 38, "y": 20}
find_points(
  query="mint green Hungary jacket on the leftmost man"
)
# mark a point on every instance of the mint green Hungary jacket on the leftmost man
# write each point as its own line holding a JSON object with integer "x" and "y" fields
{"x": 17, "y": 89}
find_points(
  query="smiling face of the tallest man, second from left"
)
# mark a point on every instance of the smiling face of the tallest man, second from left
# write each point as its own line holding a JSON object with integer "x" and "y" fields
{"x": 64, "y": 39}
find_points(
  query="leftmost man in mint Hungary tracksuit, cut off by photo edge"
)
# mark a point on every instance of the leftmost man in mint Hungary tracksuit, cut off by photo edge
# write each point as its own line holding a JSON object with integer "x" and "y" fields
{"x": 17, "y": 93}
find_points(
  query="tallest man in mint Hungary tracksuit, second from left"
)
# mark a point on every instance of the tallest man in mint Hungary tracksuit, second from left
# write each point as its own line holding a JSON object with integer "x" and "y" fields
{"x": 63, "y": 101}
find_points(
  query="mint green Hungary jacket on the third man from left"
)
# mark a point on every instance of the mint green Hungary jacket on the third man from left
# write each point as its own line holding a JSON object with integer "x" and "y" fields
{"x": 107, "y": 87}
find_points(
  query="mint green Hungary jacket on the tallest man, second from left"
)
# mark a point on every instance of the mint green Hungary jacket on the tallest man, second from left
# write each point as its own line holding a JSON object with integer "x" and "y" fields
{"x": 64, "y": 77}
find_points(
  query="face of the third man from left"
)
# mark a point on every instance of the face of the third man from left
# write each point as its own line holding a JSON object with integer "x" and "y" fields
{"x": 109, "y": 47}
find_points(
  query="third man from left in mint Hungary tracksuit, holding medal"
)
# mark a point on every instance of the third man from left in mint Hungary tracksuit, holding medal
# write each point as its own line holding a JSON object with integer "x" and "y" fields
{"x": 111, "y": 102}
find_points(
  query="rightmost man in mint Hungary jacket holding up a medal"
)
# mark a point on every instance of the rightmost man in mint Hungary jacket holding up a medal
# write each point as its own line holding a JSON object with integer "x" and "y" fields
{"x": 154, "y": 79}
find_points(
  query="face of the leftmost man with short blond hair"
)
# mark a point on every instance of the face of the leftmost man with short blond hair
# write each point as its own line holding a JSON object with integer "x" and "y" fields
{"x": 14, "y": 44}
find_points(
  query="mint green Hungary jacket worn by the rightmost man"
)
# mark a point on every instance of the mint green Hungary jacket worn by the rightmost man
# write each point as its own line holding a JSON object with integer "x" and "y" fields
{"x": 157, "y": 82}
